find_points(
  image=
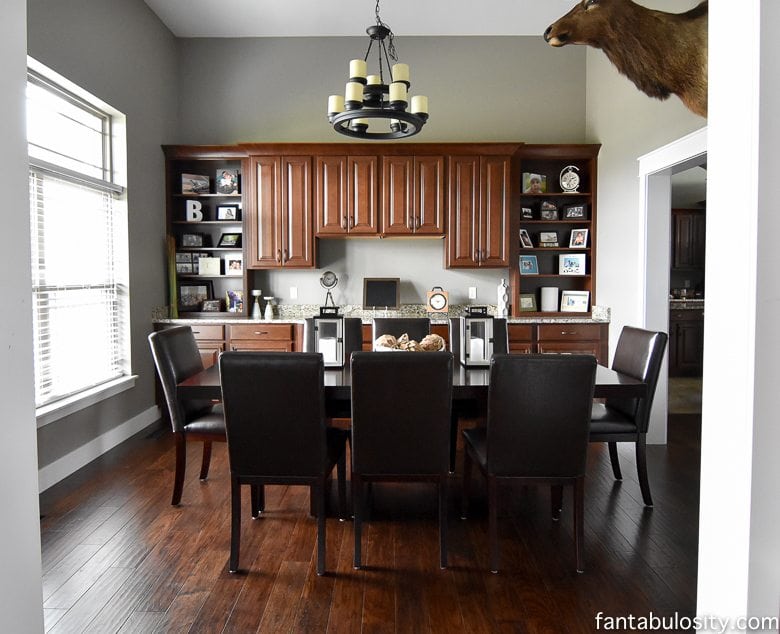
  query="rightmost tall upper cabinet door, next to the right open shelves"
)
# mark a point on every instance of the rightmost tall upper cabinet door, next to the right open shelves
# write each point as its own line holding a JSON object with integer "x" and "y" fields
{"x": 494, "y": 212}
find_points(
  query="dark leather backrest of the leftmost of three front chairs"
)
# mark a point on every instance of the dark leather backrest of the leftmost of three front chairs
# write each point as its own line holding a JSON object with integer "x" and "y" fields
{"x": 274, "y": 412}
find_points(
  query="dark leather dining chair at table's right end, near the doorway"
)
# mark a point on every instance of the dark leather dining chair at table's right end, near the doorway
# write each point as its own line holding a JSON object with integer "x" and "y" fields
{"x": 638, "y": 354}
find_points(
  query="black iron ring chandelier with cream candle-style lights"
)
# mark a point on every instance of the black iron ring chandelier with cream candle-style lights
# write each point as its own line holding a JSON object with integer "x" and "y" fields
{"x": 371, "y": 108}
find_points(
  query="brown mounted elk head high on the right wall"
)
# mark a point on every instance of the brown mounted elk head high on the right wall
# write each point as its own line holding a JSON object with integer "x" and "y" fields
{"x": 662, "y": 53}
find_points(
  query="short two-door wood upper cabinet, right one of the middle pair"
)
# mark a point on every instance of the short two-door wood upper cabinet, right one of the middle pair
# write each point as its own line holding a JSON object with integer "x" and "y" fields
{"x": 413, "y": 195}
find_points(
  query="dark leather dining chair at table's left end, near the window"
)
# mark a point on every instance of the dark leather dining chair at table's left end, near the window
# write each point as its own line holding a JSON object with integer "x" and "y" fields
{"x": 176, "y": 357}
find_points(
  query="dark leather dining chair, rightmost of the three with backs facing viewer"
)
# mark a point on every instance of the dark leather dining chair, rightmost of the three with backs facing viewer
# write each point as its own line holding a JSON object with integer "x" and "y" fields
{"x": 536, "y": 434}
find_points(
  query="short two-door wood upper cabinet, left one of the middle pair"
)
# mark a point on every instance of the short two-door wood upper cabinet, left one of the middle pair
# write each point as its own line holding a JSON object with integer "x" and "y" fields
{"x": 345, "y": 198}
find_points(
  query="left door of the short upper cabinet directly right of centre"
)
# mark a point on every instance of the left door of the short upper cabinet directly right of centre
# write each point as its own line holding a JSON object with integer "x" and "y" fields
{"x": 397, "y": 193}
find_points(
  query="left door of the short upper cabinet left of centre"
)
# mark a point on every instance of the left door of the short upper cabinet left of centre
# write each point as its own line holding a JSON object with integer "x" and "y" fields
{"x": 330, "y": 198}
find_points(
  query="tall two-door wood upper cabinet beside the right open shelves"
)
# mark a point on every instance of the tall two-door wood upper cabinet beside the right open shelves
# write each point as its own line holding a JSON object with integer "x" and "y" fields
{"x": 479, "y": 206}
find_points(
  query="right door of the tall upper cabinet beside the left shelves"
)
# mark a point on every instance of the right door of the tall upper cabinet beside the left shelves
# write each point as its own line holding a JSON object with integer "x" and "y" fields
{"x": 296, "y": 208}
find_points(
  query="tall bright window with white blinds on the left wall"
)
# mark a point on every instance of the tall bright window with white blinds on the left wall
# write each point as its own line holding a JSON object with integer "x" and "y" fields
{"x": 78, "y": 232}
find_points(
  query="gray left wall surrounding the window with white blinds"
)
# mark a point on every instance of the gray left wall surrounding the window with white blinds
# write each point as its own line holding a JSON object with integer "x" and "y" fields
{"x": 120, "y": 52}
